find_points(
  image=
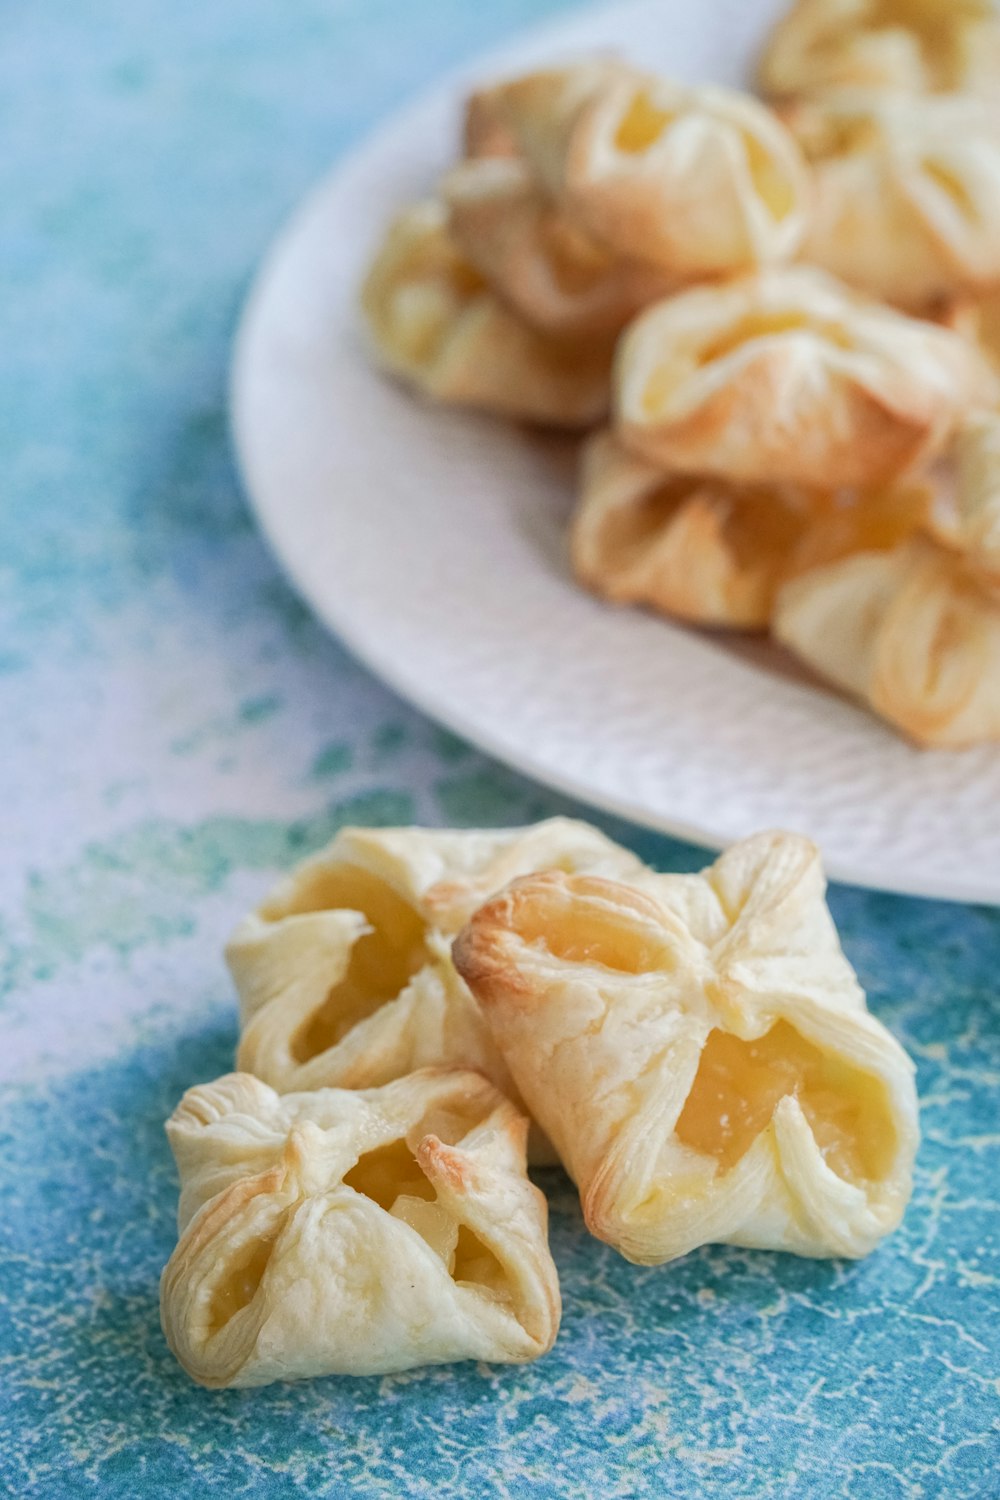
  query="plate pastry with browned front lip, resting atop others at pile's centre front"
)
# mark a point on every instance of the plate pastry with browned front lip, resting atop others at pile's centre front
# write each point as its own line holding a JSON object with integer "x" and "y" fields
{"x": 788, "y": 377}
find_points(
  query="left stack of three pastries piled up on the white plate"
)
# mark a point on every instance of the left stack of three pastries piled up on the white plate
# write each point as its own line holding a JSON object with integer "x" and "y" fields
{"x": 585, "y": 194}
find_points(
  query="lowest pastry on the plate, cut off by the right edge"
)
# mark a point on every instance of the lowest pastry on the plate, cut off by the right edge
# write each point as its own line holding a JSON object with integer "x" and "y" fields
{"x": 915, "y": 631}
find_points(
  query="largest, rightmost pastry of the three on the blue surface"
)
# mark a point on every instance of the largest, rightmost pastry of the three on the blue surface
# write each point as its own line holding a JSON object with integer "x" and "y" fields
{"x": 701, "y": 1054}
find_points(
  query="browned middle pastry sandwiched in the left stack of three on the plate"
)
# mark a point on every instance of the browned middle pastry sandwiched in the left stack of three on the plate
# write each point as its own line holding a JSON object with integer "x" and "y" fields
{"x": 552, "y": 274}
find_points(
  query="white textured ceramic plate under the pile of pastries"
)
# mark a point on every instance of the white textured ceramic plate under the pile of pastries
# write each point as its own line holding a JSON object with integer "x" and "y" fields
{"x": 433, "y": 542}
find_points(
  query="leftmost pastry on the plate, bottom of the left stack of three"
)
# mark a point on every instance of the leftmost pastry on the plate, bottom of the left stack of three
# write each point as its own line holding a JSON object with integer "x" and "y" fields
{"x": 436, "y": 323}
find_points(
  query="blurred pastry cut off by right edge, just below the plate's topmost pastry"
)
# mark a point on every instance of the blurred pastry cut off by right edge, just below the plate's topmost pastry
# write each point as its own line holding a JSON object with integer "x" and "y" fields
{"x": 906, "y": 196}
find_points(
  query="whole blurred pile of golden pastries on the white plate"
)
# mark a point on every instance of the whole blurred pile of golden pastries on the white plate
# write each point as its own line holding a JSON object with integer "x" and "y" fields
{"x": 779, "y": 323}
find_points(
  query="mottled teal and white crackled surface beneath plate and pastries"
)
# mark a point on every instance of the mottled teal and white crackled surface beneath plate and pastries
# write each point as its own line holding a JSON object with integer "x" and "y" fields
{"x": 176, "y": 731}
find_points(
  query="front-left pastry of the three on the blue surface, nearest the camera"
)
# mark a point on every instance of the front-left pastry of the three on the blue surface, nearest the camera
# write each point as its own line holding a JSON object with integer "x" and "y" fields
{"x": 355, "y": 1234}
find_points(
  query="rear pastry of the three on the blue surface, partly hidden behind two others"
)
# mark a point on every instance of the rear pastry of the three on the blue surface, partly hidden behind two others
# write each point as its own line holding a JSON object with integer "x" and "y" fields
{"x": 346, "y": 971}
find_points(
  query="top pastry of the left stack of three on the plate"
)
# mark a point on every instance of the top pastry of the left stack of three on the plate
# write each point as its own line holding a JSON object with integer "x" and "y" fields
{"x": 698, "y": 182}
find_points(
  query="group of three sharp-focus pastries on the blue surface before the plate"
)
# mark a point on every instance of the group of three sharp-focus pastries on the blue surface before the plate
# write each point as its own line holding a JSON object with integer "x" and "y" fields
{"x": 427, "y": 1012}
